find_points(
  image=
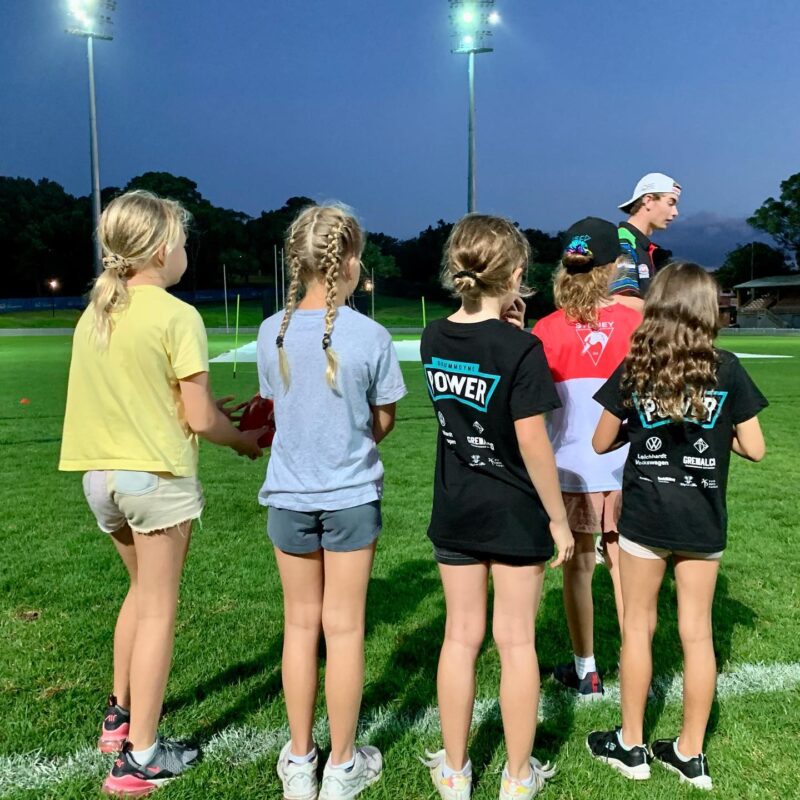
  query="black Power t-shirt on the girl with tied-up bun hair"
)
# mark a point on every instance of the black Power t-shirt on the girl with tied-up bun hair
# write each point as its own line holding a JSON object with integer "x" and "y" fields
{"x": 482, "y": 377}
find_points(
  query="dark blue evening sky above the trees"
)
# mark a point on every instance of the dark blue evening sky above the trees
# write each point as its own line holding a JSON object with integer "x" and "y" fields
{"x": 362, "y": 101}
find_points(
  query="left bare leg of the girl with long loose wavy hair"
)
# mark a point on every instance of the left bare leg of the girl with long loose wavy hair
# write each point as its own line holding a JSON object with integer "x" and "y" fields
{"x": 641, "y": 581}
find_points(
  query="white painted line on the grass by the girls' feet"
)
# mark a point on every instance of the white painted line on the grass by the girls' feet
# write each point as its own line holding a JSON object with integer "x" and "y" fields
{"x": 242, "y": 744}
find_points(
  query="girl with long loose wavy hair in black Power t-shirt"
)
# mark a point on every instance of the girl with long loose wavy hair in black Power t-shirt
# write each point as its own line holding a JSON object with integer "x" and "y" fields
{"x": 683, "y": 406}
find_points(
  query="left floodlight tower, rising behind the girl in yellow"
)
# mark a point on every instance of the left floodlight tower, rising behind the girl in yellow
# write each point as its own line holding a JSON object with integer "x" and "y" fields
{"x": 91, "y": 19}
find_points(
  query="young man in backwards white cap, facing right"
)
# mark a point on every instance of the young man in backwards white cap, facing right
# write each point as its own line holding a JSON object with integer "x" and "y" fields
{"x": 653, "y": 205}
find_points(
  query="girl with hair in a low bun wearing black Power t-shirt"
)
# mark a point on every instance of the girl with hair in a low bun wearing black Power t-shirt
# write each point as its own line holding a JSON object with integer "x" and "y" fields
{"x": 497, "y": 504}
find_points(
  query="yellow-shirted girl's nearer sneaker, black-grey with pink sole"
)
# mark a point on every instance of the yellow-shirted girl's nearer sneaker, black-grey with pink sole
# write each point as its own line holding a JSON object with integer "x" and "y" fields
{"x": 129, "y": 779}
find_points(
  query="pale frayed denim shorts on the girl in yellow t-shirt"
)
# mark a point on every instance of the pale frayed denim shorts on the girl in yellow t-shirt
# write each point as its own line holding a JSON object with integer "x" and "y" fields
{"x": 145, "y": 501}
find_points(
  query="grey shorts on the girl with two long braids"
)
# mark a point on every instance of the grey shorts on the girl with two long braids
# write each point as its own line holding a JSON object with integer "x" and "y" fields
{"x": 342, "y": 531}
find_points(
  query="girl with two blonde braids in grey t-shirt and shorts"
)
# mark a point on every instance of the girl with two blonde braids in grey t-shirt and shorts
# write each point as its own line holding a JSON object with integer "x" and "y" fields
{"x": 334, "y": 379}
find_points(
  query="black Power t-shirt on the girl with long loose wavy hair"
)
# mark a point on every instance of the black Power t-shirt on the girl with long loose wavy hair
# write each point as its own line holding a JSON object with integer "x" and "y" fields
{"x": 676, "y": 474}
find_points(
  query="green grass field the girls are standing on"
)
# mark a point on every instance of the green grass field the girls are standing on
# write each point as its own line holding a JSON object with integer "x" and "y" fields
{"x": 61, "y": 584}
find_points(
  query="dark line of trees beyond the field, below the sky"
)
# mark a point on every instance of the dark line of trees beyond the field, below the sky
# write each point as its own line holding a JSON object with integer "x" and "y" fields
{"x": 46, "y": 232}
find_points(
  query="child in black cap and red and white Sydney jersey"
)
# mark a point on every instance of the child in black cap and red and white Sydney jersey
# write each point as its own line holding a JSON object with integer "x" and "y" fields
{"x": 585, "y": 340}
